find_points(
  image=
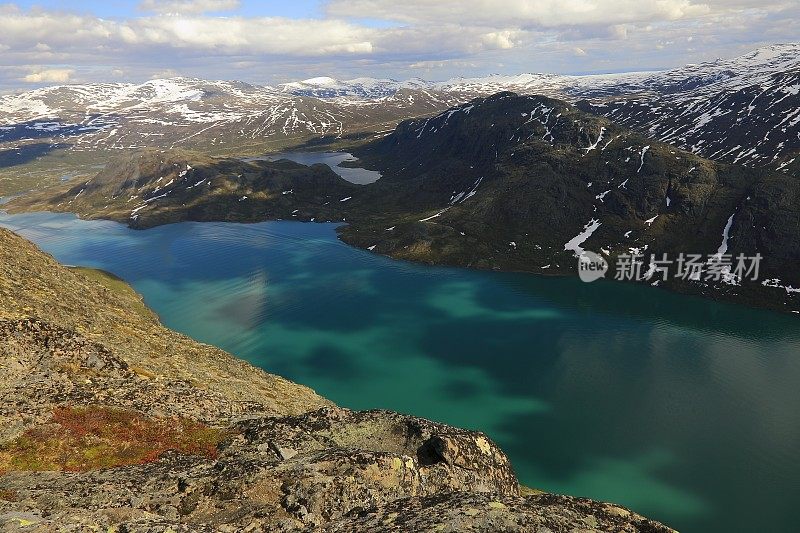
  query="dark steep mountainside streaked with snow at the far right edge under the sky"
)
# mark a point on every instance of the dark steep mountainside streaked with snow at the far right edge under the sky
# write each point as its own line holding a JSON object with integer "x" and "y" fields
{"x": 745, "y": 110}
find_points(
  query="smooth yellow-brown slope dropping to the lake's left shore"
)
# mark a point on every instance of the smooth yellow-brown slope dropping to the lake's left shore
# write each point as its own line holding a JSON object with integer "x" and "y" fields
{"x": 34, "y": 285}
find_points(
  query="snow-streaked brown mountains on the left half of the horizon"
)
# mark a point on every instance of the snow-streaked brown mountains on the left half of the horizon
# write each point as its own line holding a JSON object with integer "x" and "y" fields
{"x": 192, "y": 112}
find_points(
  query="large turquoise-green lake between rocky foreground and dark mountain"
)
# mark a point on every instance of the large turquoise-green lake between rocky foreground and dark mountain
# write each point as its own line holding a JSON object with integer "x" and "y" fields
{"x": 683, "y": 409}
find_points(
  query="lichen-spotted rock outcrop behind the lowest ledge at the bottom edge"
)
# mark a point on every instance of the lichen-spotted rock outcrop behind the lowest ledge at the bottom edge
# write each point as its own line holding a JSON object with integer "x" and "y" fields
{"x": 295, "y": 472}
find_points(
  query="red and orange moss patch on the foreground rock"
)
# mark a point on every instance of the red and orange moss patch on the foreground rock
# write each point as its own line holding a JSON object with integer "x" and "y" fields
{"x": 89, "y": 438}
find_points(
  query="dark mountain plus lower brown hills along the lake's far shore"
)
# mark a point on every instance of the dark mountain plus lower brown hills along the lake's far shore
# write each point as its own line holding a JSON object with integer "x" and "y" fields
{"x": 505, "y": 182}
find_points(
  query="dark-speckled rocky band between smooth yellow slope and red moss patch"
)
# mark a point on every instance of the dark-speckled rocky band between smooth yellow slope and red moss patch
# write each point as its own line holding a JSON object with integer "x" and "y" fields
{"x": 46, "y": 366}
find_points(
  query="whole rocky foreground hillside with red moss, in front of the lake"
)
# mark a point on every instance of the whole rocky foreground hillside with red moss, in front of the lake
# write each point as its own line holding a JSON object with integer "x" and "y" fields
{"x": 110, "y": 421}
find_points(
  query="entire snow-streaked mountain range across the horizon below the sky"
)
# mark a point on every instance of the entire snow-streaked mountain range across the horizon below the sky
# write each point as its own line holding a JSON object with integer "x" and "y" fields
{"x": 744, "y": 110}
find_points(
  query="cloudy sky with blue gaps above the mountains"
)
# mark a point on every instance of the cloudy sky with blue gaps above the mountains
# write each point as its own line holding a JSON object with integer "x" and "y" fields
{"x": 46, "y": 42}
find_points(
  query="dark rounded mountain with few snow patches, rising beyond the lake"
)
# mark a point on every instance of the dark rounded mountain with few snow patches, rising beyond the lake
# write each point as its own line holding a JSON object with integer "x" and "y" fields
{"x": 523, "y": 183}
